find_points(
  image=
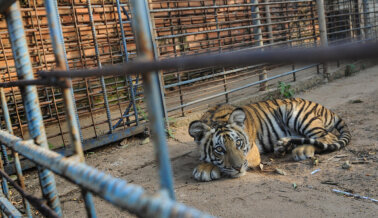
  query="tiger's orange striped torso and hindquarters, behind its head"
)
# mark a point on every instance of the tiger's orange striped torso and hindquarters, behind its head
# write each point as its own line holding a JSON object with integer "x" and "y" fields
{"x": 305, "y": 122}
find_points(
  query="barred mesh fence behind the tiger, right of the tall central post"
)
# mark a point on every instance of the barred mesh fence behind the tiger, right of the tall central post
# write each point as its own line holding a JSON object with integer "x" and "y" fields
{"x": 194, "y": 27}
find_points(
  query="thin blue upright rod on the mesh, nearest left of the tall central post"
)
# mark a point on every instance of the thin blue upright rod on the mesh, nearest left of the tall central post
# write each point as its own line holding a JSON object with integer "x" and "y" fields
{"x": 127, "y": 59}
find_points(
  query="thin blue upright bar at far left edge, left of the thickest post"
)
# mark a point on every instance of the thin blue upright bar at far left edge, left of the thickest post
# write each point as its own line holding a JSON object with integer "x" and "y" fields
{"x": 16, "y": 158}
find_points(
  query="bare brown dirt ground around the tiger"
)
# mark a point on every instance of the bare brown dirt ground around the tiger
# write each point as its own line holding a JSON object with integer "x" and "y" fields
{"x": 261, "y": 194}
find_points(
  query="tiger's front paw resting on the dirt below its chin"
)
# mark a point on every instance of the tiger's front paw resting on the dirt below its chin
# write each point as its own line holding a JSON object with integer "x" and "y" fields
{"x": 206, "y": 172}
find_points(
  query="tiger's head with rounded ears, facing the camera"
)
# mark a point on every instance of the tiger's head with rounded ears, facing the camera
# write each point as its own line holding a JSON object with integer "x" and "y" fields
{"x": 225, "y": 143}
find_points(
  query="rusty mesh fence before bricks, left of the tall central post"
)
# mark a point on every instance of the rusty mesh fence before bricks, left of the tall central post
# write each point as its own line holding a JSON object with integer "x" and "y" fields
{"x": 80, "y": 51}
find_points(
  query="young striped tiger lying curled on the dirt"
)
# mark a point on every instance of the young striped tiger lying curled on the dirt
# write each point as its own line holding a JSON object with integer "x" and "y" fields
{"x": 230, "y": 138}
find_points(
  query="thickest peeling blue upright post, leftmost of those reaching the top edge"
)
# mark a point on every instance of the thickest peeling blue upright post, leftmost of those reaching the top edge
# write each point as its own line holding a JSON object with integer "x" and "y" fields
{"x": 31, "y": 102}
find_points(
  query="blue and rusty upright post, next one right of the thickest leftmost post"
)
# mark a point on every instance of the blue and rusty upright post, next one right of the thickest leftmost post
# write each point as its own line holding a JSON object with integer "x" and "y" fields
{"x": 71, "y": 114}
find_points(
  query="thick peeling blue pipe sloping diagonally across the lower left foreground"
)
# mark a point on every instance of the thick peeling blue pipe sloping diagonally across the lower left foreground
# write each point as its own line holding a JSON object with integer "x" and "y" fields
{"x": 116, "y": 191}
